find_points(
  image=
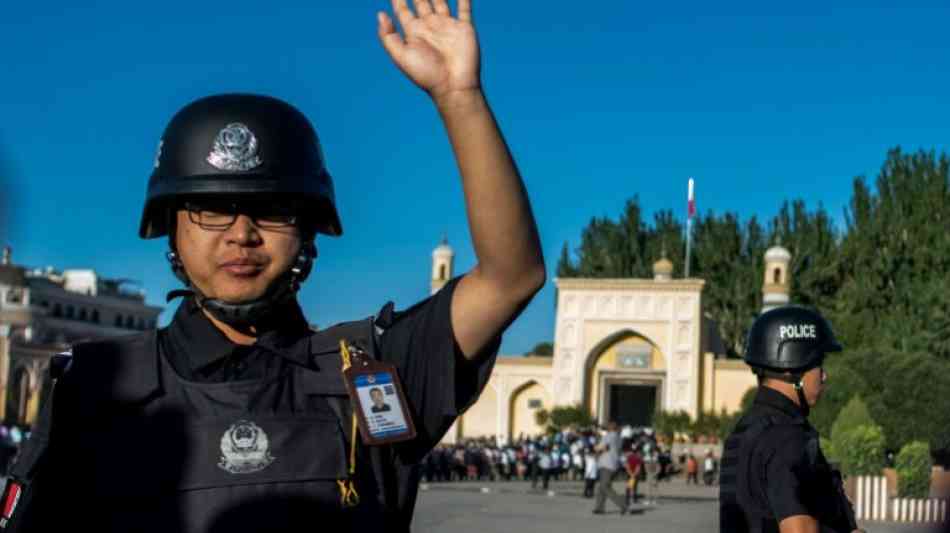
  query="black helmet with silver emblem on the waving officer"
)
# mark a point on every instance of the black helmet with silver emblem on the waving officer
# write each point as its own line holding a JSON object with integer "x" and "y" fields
{"x": 239, "y": 144}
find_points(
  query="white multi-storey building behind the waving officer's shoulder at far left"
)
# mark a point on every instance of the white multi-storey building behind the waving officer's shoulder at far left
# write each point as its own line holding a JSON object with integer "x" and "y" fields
{"x": 42, "y": 312}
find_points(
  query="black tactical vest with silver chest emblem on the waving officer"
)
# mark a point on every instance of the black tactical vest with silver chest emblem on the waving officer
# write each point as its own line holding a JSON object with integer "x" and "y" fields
{"x": 146, "y": 450}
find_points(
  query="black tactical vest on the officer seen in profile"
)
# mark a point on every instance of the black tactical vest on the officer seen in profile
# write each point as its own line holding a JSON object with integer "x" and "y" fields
{"x": 744, "y": 510}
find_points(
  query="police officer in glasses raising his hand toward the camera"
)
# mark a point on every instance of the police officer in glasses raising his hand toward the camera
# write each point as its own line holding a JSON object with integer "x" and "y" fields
{"x": 237, "y": 417}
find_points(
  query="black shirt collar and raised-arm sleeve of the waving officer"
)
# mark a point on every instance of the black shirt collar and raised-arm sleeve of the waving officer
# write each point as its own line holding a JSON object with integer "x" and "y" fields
{"x": 439, "y": 382}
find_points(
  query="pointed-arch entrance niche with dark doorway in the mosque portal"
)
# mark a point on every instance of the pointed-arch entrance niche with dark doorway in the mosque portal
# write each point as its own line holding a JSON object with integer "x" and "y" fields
{"x": 624, "y": 379}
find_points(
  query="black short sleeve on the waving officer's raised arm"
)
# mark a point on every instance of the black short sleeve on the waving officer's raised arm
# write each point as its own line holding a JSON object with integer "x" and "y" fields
{"x": 440, "y": 383}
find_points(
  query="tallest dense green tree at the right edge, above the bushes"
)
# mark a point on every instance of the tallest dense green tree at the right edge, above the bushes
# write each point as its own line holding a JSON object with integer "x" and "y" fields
{"x": 895, "y": 257}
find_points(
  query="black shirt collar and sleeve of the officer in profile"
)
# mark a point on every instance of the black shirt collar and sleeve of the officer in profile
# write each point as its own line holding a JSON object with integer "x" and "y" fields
{"x": 782, "y": 457}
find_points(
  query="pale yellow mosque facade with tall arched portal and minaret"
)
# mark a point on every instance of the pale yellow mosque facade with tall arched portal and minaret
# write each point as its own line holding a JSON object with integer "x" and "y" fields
{"x": 625, "y": 349}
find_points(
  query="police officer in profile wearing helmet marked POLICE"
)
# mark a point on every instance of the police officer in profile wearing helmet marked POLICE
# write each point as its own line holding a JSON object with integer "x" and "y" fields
{"x": 773, "y": 475}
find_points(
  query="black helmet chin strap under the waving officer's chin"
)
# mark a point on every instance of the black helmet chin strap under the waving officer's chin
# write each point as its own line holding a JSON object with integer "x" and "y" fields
{"x": 242, "y": 315}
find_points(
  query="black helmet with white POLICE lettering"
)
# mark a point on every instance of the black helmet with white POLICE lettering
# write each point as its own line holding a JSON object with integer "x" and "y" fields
{"x": 790, "y": 338}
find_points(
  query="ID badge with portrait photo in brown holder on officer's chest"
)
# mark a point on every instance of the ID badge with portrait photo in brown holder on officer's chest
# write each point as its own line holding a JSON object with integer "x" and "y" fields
{"x": 378, "y": 400}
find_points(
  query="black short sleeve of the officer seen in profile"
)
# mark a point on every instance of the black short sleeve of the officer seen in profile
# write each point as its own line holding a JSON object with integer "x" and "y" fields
{"x": 786, "y": 476}
